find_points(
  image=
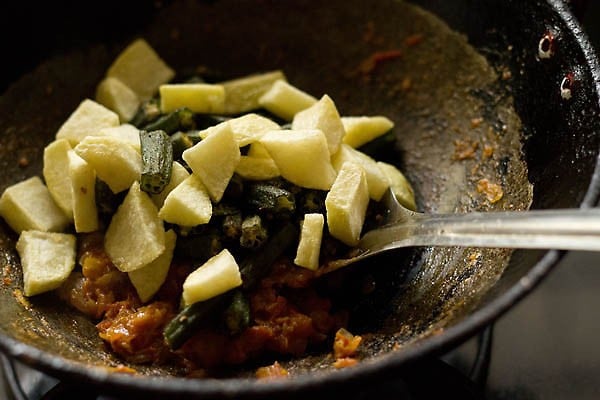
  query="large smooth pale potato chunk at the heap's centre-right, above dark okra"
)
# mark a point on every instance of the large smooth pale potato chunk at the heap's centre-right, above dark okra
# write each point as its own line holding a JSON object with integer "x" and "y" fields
{"x": 302, "y": 157}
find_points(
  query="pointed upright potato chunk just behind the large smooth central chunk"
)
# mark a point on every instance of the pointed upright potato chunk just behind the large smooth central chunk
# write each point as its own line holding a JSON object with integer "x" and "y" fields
{"x": 322, "y": 115}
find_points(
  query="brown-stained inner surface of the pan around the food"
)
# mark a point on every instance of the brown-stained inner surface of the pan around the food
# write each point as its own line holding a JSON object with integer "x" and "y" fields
{"x": 459, "y": 142}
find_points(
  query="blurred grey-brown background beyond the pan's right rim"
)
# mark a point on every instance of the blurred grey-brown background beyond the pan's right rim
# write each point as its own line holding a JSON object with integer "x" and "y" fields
{"x": 548, "y": 346}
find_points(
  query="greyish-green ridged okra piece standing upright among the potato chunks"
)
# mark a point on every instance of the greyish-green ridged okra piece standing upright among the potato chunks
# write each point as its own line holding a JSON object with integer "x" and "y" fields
{"x": 157, "y": 160}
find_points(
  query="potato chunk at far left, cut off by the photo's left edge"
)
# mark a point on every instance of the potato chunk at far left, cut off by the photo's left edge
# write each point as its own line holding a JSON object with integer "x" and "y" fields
{"x": 28, "y": 205}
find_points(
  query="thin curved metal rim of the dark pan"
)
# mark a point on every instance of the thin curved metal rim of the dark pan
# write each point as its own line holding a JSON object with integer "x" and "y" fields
{"x": 103, "y": 379}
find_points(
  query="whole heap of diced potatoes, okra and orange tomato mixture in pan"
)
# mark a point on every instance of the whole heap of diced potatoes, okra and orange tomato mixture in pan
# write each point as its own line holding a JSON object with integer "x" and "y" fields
{"x": 191, "y": 220}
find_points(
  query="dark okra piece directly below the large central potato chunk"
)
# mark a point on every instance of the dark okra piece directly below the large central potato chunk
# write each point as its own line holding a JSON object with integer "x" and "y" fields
{"x": 270, "y": 200}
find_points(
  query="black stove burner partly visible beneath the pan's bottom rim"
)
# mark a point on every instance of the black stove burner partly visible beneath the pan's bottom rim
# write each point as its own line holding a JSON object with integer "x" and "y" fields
{"x": 426, "y": 379}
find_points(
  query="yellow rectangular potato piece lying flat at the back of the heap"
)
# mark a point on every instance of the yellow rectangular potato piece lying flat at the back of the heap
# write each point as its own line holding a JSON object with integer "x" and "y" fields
{"x": 198, "y": 97}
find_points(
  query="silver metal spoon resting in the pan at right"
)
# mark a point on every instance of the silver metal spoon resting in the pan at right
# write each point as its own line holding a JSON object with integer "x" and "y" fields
{"x": 563, "y": 229}
